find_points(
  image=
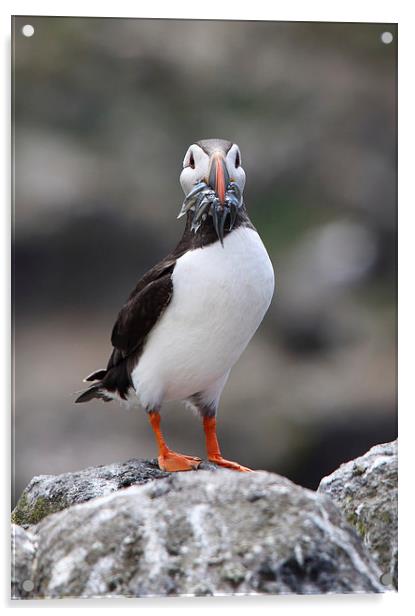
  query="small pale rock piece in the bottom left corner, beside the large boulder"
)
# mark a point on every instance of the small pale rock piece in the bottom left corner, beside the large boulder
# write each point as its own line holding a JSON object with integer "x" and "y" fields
{"x": 23, "y": 546}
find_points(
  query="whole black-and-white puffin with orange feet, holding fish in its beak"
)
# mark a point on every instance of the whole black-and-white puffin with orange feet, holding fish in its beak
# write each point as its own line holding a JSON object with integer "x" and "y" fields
{"x": 190, "y": 317}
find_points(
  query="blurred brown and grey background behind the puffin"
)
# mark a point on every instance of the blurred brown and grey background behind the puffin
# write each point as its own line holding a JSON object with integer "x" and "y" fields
{"x": 104, "y": 110}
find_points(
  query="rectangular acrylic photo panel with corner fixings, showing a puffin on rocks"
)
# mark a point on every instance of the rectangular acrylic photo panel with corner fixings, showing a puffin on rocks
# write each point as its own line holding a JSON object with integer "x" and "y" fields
{"x": 120, "y": 126}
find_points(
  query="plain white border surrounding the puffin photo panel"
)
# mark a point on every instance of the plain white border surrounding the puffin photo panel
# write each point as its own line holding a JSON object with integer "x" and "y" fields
{"x": 318, "y": 10}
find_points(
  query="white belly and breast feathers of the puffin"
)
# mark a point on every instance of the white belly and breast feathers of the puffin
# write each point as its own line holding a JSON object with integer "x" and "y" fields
{"x": 220, "y": 296}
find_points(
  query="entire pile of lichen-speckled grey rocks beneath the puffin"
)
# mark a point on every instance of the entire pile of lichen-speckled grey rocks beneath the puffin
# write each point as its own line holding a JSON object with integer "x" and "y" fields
{"x": 132, "y": 530}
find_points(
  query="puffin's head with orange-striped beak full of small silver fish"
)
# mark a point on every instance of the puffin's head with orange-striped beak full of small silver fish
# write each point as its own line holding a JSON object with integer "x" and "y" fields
{"x": 213, "y": 181}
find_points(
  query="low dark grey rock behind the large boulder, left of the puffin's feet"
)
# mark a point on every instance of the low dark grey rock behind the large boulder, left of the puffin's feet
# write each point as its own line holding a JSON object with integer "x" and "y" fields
{"x": 48, "y": 494}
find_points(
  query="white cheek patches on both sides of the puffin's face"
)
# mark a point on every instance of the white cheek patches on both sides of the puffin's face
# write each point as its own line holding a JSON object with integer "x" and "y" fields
{"x": 196, "y": 167}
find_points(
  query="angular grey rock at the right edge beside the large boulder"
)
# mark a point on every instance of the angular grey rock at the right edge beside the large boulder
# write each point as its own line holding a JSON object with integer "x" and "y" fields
{"x": 366, "y": 490}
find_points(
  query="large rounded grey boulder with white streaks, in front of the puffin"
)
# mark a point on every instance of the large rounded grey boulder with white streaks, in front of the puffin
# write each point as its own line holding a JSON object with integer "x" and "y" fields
{"x": 202, "y": 533}
